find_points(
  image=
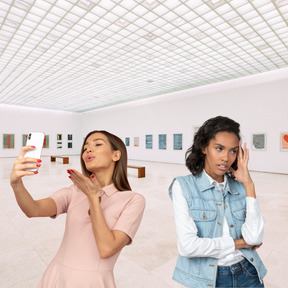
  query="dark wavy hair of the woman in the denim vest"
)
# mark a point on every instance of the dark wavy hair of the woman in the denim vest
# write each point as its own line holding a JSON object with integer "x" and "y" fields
{"x": 195, "y": 159}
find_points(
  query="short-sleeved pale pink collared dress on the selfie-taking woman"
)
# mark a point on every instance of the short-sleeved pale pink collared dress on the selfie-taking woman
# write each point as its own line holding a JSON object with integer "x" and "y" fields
{"x": 77, "y": 263}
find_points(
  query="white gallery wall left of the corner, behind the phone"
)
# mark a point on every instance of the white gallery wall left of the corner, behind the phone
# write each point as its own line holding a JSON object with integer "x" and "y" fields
{"x": 20, "y": 120}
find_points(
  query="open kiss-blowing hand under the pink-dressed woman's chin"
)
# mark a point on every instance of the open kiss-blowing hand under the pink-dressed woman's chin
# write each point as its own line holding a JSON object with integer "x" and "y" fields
{"x": 89, "y": 186}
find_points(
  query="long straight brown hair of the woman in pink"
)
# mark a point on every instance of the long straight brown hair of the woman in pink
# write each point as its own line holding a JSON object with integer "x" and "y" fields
{"x": 119, "y": 176}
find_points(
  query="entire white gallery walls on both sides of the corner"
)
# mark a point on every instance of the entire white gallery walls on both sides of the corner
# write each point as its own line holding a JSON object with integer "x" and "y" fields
{"x": 259, "y": 103}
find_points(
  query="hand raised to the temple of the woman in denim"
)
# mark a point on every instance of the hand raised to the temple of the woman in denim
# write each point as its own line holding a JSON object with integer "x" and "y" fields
{"x": 242, "y": 173}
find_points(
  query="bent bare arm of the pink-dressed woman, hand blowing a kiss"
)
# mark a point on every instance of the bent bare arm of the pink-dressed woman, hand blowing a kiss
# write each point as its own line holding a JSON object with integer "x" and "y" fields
{"x": 108, "y": 242}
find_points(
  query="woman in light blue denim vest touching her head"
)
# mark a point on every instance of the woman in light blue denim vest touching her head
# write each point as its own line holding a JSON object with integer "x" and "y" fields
{"x": 218, "y": 221}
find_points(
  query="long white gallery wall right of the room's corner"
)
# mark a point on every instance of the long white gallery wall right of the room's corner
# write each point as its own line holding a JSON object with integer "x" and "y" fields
{"x": 259, "y": 103}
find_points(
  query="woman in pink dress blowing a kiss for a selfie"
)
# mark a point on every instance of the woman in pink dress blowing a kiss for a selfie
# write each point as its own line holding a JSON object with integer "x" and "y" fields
{"x": 103, "y": 214}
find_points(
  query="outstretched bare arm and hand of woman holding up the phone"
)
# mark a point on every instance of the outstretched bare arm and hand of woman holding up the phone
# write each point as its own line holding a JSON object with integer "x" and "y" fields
{"x": 31, "y": 207}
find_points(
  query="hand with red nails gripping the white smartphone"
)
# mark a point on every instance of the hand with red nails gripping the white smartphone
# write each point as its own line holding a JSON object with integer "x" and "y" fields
{"x": 22, "y": 163}
